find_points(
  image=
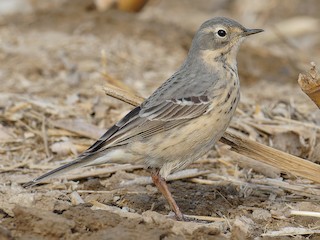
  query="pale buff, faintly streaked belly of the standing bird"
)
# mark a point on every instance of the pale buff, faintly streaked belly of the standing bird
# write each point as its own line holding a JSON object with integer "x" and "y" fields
{"x": 175, "y": 149}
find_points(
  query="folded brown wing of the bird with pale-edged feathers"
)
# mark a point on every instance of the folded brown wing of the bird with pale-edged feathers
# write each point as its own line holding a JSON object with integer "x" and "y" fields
{"x": 144, "y": 122}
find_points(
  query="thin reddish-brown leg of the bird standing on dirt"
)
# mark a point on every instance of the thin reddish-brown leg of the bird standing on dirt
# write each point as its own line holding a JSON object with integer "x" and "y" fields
{"x": 162, "y": 186}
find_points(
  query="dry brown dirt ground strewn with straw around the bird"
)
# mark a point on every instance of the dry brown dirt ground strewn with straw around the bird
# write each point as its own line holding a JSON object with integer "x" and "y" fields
{"x": 55, "y": 59}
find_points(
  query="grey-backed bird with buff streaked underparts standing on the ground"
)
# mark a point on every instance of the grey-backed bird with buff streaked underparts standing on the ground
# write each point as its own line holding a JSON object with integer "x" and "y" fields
{"x": 182, "y": 119}
